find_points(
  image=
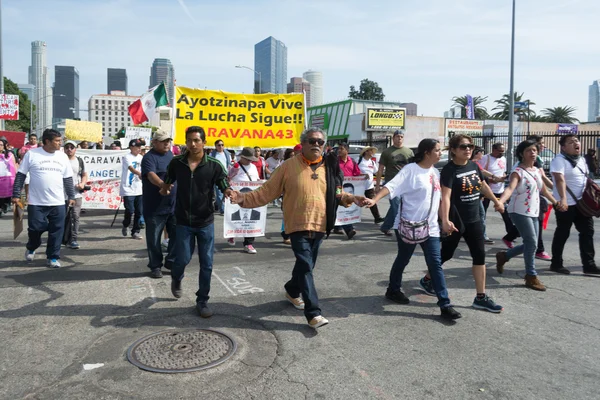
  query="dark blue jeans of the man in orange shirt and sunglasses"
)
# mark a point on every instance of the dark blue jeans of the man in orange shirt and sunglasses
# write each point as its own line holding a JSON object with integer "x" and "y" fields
{"x": 306, "y": 249}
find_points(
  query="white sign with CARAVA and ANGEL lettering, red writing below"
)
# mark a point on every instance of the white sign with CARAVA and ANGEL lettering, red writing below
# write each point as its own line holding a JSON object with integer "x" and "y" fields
{"x": 104, "y": 176}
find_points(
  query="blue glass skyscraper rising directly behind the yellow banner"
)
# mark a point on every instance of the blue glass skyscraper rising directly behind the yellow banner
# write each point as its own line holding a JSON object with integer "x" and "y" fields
{"x": 270, "y": 63}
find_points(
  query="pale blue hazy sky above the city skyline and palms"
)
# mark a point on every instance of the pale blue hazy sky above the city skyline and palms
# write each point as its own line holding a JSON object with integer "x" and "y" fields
{"x": 421, "y": 51}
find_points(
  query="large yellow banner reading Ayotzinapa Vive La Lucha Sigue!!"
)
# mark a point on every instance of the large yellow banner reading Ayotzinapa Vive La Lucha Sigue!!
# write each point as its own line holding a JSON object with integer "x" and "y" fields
{"x": 240, "y": 120}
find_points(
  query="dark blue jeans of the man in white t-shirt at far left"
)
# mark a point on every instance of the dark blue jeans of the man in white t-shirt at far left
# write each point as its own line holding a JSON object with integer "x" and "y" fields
{"x": 49, "y": 219}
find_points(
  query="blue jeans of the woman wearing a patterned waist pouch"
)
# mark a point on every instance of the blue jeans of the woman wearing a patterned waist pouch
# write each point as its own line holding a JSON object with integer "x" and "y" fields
{"x": 432, "y": 251}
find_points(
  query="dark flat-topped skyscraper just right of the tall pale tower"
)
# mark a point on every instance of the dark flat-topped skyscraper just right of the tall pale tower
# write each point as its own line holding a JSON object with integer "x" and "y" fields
{"x": 66, "y": 94}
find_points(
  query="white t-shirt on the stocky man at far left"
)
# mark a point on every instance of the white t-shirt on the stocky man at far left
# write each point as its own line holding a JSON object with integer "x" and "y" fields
{"x": 46, "y": 172}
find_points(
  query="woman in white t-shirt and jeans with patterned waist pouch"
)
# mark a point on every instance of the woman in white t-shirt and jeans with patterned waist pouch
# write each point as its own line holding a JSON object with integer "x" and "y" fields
{"x": 418, "y": 186}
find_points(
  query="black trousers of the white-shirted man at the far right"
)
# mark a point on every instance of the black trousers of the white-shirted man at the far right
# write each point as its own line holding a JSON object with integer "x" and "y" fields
{"x": 585, "y": 227}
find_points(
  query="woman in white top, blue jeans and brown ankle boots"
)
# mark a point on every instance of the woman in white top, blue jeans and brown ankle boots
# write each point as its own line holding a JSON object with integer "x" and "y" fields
{"x": 525, "y": 186}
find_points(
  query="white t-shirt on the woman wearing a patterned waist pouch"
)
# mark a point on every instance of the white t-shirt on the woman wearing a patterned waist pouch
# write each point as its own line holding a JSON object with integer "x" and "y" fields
{"x": 414, "y": 186}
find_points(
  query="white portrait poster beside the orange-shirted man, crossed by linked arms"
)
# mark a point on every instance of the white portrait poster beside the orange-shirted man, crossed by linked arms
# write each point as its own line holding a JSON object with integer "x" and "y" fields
{"x": 244, "y": 222}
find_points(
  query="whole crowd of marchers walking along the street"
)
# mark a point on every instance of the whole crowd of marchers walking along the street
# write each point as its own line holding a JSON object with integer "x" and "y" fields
{"x": 174, "y": 193}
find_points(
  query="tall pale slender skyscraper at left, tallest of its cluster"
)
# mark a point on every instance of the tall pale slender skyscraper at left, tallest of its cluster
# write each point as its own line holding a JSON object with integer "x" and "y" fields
{"x": 38, "y": 77}
